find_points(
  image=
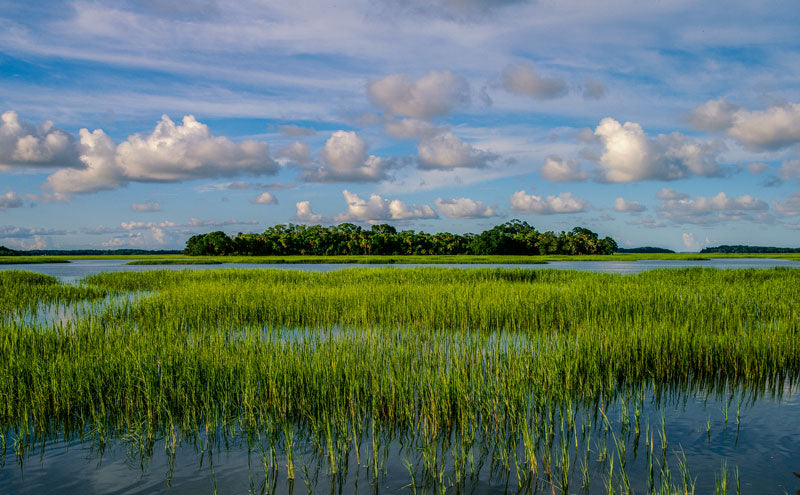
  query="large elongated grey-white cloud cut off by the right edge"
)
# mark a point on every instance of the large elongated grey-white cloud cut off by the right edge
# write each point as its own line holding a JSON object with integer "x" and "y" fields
{"x": 776, "y": 127}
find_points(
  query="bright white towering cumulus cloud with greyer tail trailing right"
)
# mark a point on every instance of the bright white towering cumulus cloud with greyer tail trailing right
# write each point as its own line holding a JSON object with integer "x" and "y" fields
{"x": 631, "y": 155}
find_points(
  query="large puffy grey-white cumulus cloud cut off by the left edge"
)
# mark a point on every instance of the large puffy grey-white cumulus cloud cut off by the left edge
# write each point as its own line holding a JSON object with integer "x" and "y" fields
{"x": 27, "y": 145}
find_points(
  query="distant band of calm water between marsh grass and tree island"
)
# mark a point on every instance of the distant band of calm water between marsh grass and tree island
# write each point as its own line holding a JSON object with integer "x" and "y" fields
{"x": 77, "y": 269}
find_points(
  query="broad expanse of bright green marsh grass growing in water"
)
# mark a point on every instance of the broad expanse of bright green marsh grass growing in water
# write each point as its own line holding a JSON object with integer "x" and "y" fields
{"x": 454, "y": 363}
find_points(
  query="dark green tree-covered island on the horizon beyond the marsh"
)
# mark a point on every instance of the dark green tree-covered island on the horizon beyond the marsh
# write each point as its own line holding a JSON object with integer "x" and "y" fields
{"x": 514, "y": 237}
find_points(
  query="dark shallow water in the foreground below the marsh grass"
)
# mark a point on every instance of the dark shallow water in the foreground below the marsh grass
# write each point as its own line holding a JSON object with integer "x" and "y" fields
{"x": 762, "y": 441}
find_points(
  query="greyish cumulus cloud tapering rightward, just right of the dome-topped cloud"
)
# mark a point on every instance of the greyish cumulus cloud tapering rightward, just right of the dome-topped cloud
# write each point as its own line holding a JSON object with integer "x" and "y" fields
{"x": 447, "y": 151}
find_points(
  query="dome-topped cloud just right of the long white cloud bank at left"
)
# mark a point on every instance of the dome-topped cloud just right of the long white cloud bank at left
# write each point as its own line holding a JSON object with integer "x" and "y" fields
{"x": 344, "y": 158}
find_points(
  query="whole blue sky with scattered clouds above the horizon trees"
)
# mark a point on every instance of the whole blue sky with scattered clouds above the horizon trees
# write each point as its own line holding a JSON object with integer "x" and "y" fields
{"x": 136, "y": 124}
